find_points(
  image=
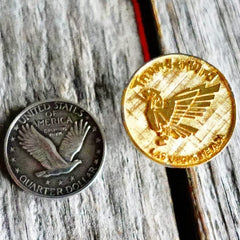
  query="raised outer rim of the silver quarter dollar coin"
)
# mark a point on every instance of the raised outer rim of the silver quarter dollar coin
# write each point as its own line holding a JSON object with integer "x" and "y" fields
{"x": 13, "y": 176}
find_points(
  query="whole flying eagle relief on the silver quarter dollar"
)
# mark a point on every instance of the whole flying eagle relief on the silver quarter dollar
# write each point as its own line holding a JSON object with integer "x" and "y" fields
{"x": 43, "y": 149}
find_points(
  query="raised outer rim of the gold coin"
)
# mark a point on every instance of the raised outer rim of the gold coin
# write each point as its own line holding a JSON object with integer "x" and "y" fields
{"x": 233, "y": 117}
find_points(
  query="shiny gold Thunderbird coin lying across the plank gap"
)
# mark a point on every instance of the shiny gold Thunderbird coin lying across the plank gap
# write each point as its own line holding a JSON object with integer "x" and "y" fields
{"x": 179, "y": 110}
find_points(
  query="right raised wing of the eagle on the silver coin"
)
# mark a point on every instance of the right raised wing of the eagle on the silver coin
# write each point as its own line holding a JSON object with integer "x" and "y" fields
{"x": 73, "y": 141}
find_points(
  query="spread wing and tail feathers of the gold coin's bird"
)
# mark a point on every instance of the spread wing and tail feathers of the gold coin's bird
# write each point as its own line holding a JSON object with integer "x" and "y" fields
{"x": 190, "y": 103}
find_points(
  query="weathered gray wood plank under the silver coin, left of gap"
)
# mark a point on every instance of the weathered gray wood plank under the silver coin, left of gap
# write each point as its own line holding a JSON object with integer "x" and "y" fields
{"x": 84, "y": 51}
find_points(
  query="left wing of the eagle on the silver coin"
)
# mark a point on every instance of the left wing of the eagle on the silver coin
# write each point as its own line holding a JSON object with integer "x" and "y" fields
{"x": 40, "y": 147}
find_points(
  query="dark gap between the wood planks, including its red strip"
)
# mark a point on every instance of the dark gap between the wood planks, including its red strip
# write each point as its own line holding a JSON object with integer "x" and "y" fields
{"x": 183, "y": 206}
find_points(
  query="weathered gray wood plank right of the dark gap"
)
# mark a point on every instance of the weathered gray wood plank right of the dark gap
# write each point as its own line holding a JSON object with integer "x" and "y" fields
{"x": 210, "y": 29}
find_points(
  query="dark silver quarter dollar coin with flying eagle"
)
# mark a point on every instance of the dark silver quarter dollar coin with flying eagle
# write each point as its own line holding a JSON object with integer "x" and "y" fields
{"x": 54, "y": 149}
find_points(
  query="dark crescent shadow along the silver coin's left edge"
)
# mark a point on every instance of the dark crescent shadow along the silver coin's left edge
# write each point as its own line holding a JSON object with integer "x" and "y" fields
{"x": 3, "y": 132}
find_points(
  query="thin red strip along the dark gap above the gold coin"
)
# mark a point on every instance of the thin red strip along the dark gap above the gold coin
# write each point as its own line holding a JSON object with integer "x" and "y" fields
{"x": 141, "y": 30}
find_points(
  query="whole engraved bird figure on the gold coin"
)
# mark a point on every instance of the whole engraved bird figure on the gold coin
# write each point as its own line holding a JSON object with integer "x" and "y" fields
{"x": 165, "y": 116}
